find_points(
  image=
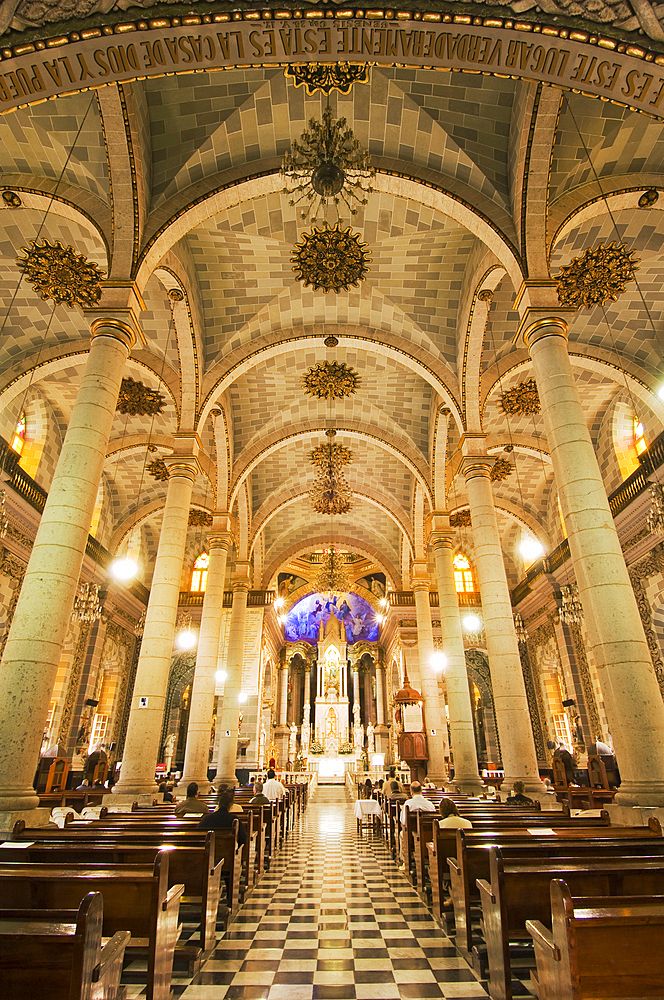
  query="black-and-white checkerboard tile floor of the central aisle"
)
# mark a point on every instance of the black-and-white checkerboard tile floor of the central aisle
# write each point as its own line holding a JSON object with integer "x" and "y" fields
{"x": 333, "y": 919}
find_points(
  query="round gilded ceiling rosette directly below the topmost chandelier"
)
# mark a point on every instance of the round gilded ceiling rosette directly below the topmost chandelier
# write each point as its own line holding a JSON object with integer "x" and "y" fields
{"x": 331, "y": 258}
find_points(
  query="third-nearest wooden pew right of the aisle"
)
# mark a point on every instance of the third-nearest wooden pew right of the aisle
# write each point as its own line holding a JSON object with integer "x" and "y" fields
{"x": 472, "y": 859}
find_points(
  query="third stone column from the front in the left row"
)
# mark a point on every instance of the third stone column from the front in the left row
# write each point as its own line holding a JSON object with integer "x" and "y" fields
{"x": 207, "y": 656}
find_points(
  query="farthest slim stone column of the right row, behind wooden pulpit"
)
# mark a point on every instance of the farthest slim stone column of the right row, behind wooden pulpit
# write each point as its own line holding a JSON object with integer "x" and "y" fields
{"x": 434, "y": 707}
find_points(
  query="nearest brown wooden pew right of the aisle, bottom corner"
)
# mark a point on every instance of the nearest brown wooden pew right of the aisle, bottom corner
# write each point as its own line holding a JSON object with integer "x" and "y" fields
{"x": 598, "y": 948}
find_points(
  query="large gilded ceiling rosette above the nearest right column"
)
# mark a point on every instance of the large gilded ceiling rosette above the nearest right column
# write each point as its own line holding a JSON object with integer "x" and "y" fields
{"x": 597, "y": 276}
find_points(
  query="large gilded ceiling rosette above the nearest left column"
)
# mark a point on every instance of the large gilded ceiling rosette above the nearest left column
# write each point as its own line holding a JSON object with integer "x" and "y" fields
{"x": 59, "y": 273}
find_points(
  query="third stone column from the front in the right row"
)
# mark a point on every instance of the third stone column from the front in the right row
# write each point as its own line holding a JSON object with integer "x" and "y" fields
{"x": 466, "y": 769}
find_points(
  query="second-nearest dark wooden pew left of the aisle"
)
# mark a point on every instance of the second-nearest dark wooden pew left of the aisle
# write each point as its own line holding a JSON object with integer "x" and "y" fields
{"x": 136, "y": 898}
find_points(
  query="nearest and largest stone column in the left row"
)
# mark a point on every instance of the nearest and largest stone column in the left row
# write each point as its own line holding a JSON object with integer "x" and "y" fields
{"x": 39, "y": 625}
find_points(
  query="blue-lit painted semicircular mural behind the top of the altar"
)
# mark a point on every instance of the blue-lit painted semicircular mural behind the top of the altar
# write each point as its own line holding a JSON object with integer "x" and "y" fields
{"x": 308, "y": 618}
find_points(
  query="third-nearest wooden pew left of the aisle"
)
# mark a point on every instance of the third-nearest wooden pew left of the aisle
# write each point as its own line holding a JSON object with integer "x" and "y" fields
{"x": 192, "y": 865}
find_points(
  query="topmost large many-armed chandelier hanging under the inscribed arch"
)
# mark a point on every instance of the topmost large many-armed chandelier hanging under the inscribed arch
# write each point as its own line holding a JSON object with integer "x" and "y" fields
{"x": 326, "y": 165}
